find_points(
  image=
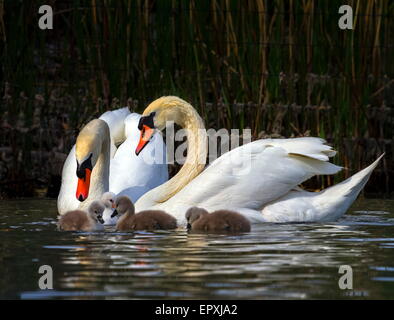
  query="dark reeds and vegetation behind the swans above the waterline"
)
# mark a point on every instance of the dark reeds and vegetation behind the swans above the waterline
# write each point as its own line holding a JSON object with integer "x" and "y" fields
{"x": 281, "y": 68}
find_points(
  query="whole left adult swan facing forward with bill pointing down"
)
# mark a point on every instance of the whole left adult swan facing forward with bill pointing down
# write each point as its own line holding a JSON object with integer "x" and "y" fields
{"x": 95, "y": 165}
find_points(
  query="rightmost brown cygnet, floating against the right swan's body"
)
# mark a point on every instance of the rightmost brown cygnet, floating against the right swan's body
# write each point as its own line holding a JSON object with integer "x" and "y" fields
{"x": 199, "y": 219}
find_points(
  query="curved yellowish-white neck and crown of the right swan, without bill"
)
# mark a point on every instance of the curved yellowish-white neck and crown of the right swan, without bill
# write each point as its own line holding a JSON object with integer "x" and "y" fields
{"x": 183, "y": 114}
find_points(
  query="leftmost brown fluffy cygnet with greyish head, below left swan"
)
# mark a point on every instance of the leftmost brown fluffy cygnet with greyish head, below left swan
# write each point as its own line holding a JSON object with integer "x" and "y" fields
{"x": 78, "y": 220}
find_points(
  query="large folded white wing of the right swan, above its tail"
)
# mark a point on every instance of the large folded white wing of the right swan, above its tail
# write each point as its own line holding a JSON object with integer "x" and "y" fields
{"x": 254, "y": 174}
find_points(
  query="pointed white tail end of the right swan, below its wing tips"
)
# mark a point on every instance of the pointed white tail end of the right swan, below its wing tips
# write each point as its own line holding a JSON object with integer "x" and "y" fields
{"x": 326, "y": 205}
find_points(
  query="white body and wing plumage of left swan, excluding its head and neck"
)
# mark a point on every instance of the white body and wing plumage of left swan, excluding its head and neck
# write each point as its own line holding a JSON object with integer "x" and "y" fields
{"x": 129, "y": 174}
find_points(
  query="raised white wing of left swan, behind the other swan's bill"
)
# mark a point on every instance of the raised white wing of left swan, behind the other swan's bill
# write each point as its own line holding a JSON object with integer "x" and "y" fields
{"x": 134, "y": 175}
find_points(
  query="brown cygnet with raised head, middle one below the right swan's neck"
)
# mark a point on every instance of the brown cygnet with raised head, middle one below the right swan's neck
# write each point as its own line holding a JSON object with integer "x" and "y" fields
{"x": 145, "y": 220}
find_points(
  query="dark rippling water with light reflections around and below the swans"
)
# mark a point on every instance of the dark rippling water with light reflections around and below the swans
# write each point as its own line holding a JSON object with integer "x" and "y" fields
{"x": 291, "y": 261}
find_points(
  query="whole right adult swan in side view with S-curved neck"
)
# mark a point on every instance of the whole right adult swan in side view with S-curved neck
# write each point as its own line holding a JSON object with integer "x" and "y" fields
{"x": 265, "y": 191}
